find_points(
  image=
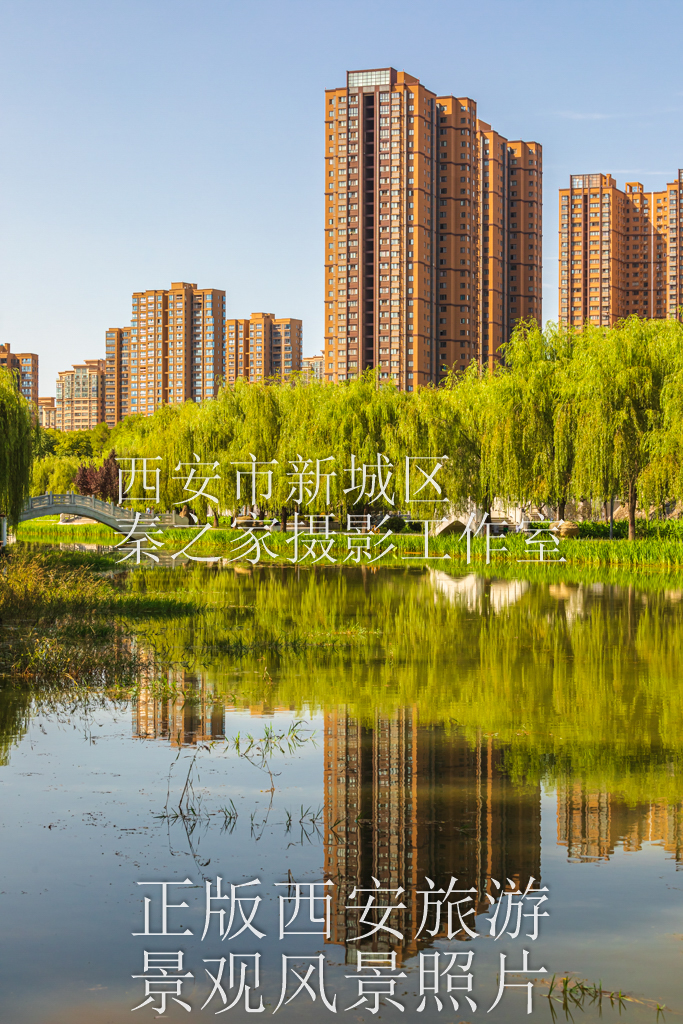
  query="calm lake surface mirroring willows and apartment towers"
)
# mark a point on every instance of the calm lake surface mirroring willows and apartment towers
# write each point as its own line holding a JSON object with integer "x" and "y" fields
{"x": 487, "y": 772}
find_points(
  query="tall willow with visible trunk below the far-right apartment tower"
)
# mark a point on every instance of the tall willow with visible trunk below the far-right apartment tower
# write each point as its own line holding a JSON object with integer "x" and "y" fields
{"x": 616, "y": 385}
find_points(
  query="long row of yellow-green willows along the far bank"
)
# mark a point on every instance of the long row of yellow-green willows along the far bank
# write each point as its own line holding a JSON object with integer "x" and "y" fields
{"x": 572, "y": 416}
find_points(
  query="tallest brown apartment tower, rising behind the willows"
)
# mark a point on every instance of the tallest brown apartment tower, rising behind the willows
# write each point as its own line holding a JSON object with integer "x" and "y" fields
{"x": 434, "y": 232}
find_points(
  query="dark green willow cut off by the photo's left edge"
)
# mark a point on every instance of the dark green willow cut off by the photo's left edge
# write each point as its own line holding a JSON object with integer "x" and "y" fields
{"x": 16, "y": 448}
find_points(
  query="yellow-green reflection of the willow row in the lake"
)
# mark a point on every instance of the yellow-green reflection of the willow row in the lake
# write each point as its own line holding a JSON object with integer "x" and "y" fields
{"x": 577, "y": 680}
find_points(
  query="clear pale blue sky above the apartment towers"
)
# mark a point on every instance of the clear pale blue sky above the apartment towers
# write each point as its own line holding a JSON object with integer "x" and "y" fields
{"x": 146, "y": 142}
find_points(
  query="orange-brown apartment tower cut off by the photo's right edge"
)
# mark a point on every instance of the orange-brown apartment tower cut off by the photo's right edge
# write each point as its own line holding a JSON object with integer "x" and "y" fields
{"x": 619, "y": 250}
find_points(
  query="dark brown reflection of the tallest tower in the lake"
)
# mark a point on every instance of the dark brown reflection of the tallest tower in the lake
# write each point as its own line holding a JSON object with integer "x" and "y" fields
{"x": 405, "y": 802}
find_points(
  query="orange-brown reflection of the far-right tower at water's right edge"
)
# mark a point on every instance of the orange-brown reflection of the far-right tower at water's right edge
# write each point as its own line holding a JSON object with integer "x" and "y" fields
{"x": 593, "y": 824}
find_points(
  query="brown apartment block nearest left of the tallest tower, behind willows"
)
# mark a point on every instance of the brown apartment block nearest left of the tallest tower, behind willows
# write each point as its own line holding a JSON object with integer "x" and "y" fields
{"x": 263, "y": 347}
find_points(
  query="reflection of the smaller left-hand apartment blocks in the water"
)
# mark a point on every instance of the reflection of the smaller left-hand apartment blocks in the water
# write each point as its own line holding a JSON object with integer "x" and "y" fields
{"x": 195, "y": 714}
